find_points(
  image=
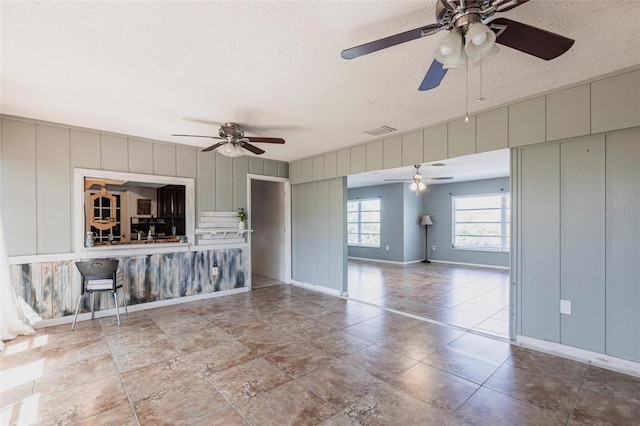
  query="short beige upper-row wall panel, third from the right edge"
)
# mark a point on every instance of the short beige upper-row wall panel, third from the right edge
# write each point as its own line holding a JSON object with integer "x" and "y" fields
{"x": 527, "y": 122}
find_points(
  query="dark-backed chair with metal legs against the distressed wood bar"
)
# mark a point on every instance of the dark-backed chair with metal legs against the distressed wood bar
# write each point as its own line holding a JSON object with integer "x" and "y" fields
{"x": 99, "y": 275}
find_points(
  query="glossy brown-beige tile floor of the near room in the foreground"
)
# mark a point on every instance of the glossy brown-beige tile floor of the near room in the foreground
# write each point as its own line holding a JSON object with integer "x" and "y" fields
{"x": 281, "y": 355}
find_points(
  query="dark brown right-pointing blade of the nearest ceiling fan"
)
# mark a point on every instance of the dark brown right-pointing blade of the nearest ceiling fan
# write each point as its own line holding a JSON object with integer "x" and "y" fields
{"x": 534, "y": 41}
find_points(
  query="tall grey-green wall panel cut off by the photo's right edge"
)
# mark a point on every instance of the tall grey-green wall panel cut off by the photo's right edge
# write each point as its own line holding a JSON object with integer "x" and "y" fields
{"x": 622, "y": 216}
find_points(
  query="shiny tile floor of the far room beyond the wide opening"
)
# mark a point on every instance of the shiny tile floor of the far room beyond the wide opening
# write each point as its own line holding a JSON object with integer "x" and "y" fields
{"x": 468, "y": 297}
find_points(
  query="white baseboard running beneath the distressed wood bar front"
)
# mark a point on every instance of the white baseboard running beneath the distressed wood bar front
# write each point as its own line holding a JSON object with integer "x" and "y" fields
{"x": 140, "y": 307}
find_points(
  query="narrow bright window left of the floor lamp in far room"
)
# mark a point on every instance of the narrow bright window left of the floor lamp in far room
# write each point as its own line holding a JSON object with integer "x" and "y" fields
{"x": 363, "y": 222}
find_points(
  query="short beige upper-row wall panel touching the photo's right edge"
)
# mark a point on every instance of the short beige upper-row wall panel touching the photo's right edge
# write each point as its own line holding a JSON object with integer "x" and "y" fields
{"x": 615, "y": 102}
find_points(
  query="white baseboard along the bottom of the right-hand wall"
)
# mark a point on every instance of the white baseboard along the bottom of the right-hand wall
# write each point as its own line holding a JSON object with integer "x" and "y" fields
{"x": 608, "y": 362}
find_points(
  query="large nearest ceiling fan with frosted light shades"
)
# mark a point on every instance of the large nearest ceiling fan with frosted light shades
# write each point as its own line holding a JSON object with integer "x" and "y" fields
{"x": 473, "y": 32}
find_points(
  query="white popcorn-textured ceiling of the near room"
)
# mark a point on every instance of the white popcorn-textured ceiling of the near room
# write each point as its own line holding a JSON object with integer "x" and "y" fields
{"x": 150, "y": 69}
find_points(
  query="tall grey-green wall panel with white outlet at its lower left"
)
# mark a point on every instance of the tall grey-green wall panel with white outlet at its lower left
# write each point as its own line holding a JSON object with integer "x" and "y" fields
{"x": 582, "y": 242}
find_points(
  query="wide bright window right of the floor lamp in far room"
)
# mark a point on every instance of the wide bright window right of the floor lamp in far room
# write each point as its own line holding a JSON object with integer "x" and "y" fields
{"x": 481, "y": 222}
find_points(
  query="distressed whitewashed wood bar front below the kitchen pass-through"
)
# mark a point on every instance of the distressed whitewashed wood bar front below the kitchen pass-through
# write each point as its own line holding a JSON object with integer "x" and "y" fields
{"x": 51, "y": 287}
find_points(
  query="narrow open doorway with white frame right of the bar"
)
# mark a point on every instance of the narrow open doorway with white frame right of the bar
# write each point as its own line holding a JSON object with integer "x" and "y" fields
{"x": 270, "y": 240}
